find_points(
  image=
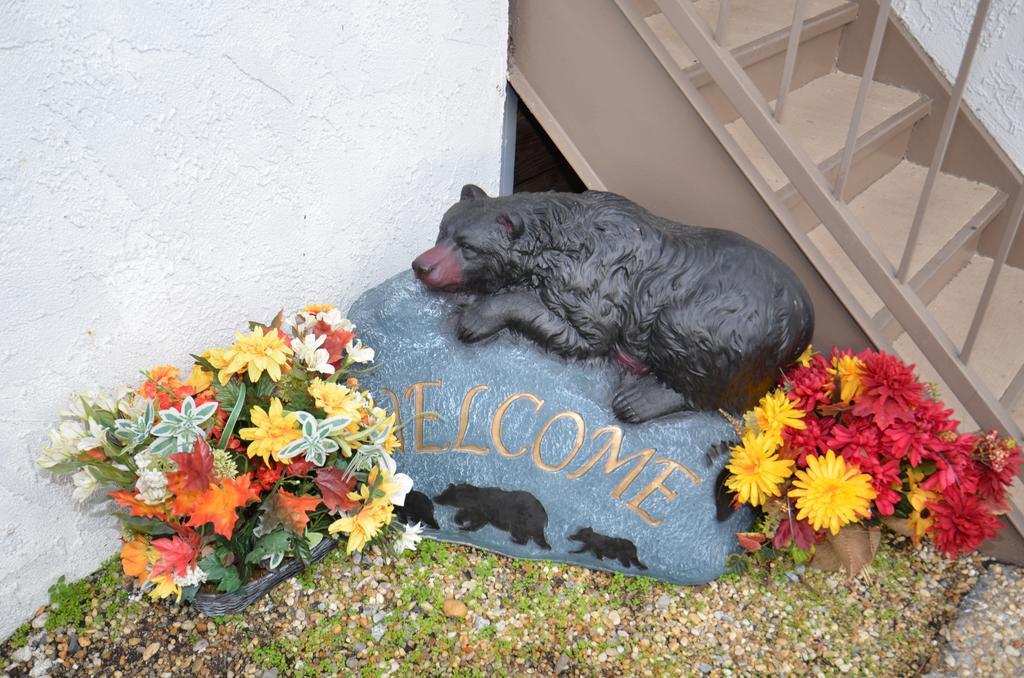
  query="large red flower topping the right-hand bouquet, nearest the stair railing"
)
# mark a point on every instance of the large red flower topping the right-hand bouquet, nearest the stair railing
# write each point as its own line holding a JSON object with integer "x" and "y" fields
{"x": 891, "y": 392}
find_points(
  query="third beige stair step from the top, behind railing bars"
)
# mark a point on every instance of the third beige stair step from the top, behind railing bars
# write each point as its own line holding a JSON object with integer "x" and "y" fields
{"x": 960, "y": 209}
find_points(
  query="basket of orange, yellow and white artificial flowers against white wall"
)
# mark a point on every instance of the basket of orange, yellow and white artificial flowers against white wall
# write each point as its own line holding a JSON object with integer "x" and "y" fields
{"x": 267, "y": 447}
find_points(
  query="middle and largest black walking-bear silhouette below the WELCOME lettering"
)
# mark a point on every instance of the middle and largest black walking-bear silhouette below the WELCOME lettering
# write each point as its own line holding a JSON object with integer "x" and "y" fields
{"x": 519, "y": 514}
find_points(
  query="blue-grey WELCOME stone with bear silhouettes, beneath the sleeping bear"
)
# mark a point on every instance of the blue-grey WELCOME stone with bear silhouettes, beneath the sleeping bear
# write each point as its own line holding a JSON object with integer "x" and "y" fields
{"x": 518, "y": 451}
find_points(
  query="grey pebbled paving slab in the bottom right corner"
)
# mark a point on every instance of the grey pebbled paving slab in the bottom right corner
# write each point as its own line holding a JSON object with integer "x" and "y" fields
{"x": 988, "y": 638}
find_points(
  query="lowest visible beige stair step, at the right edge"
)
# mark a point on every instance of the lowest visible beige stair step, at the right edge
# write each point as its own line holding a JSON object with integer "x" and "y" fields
{"x": 999, "y": 355}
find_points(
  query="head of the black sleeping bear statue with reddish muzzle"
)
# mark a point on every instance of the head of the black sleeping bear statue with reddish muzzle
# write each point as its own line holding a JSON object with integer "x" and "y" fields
{"x": 475, "y": 247}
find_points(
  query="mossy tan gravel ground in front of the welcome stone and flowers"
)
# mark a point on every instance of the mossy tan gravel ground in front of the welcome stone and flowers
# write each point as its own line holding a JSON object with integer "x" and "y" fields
{"x": 456, "y": 611}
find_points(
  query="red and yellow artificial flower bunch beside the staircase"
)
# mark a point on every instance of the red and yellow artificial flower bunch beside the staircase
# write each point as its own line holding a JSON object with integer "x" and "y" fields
{"x": 851, "y": 441}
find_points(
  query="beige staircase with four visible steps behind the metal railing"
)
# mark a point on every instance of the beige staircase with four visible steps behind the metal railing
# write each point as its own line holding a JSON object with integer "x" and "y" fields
{"x": 948, "y": 271}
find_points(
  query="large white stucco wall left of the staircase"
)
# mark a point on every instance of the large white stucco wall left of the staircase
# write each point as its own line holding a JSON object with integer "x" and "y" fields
{"x": 169, "y": 171}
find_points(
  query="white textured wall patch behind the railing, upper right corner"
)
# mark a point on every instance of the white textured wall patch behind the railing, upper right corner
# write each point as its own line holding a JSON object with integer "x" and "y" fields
{"x": 996, "y": 90}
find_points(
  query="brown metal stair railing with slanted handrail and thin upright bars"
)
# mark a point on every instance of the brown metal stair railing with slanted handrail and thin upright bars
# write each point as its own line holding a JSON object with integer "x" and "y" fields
{"x": 826, "y": 198}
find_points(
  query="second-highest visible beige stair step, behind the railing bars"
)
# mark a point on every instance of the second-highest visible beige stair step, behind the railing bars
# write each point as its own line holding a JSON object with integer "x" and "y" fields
{"x": 819, "y": 114}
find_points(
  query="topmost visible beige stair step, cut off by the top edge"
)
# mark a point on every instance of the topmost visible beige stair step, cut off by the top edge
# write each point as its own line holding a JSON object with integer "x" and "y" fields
{"x": 751, "y": 25}
